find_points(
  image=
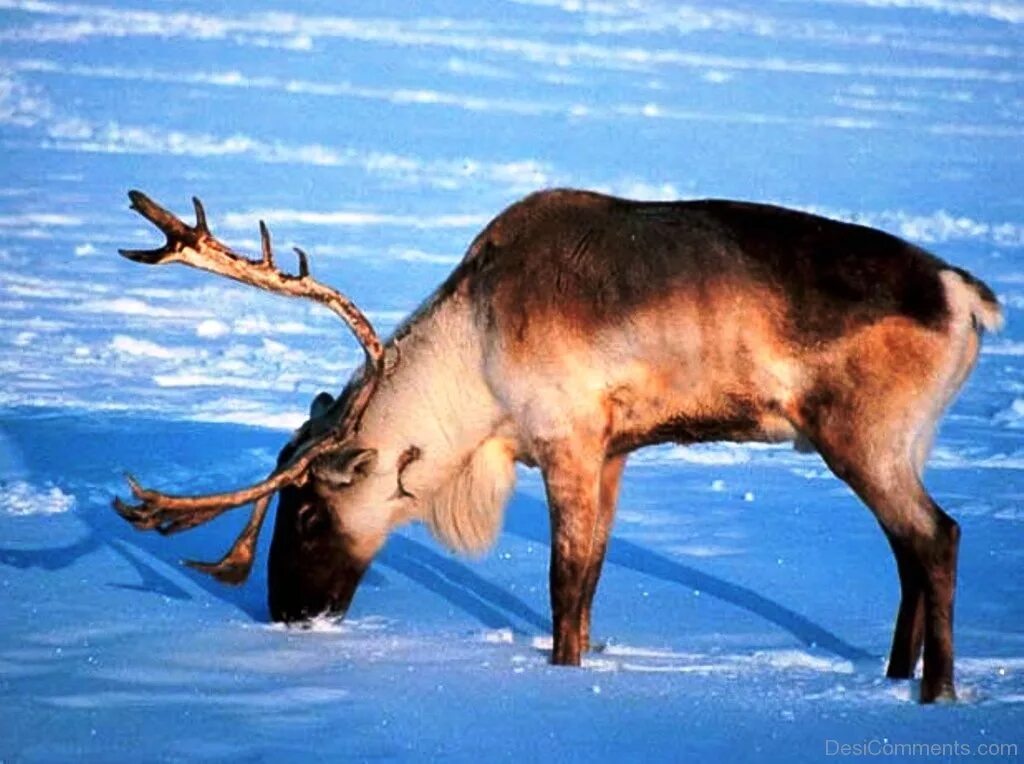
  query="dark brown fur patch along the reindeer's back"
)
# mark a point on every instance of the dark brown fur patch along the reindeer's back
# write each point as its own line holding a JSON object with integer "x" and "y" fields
{"x": 591, "y": 260}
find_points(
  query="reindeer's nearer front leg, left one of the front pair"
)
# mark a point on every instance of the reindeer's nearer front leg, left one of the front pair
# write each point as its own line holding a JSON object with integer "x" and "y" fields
{"x": 572, "y": 477}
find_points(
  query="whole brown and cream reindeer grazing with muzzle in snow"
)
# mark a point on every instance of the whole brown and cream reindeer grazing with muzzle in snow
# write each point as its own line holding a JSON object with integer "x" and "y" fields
{"x": 578, "y": 329}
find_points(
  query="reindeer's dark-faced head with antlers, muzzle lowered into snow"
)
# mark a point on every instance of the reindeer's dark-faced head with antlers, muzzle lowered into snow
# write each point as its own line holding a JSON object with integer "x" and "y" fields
{"x": 316, "y": 563}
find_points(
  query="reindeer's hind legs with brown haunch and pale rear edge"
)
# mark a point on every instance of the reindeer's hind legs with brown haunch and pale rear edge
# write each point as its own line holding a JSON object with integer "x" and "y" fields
{"x": 872, "y": 413}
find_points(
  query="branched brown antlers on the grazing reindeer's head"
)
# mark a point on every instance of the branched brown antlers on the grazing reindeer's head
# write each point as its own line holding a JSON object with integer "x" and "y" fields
{"x": 196, "y": 246}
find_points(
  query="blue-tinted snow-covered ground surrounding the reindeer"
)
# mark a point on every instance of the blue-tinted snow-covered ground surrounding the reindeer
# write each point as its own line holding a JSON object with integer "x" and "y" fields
{"x": 748, "y": 605}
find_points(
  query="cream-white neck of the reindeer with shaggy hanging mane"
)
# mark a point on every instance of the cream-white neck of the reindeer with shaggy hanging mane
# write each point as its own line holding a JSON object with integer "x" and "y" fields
{"x": 437, "y": 401}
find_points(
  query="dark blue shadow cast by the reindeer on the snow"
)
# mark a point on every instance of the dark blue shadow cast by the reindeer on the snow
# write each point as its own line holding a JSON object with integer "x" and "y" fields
{"x": 87, "y": 456}
